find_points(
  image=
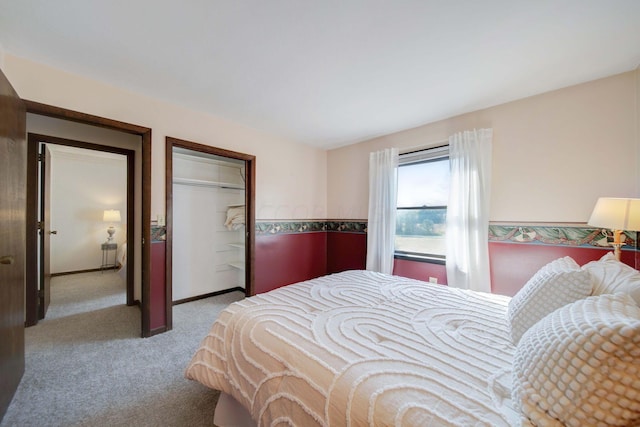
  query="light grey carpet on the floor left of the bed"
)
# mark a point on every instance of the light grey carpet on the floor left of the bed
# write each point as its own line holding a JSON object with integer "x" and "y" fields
{"x": 86, "y": 364}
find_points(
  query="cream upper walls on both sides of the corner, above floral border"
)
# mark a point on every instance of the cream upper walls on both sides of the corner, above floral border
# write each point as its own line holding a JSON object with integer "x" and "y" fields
{"x": 554, "y": 153}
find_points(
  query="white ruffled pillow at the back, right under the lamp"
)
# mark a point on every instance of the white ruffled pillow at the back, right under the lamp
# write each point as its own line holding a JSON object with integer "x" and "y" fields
{"x": 611, "y": 276}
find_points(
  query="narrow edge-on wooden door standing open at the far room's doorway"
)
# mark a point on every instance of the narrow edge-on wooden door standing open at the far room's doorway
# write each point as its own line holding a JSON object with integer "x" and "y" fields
{"x": 44, "y": 295}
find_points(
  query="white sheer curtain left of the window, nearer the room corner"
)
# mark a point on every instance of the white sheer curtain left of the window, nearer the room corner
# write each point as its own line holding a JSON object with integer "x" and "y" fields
{"x": 383, "y": 173}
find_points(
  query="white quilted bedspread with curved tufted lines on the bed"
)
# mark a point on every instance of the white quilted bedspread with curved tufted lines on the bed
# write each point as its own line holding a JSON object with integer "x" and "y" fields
{"x": 361, "y": 348}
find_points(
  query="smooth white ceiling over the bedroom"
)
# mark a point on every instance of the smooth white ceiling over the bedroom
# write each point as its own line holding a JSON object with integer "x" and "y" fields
{"x": 329, "y": 72}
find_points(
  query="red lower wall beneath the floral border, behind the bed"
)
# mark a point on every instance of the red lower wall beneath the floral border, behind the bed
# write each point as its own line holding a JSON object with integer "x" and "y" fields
{"x": 286, "y": 258}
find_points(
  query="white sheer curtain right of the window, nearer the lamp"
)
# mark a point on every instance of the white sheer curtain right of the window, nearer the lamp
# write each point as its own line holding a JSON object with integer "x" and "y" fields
{"x": 468, "y": 210}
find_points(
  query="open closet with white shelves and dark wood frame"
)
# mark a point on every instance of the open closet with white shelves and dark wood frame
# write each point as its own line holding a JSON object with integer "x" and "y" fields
{"x": 215, "y": 191}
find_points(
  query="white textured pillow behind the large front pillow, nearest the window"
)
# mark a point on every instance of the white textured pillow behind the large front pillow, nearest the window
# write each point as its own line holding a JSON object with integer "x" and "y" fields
{"x": 556, "y": 284}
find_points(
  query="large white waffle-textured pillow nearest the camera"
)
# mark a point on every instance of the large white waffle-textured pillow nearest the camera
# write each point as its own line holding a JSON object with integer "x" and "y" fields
{"x": 580, "y": 365}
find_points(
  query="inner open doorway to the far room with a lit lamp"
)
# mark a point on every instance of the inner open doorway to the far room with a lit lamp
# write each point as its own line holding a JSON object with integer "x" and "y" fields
{"x": 77, "y": 187}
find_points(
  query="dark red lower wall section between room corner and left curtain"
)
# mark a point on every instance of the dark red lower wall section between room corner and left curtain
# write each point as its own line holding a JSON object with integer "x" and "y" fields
{"x": 346, "y": 251}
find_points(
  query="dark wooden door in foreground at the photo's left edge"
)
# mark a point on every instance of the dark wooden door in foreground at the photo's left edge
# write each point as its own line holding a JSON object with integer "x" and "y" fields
{"x": 13, "y": 167}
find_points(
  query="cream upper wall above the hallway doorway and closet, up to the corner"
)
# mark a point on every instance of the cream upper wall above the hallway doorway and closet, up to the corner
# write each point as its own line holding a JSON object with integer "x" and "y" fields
{"x": 290, "y": 177}
